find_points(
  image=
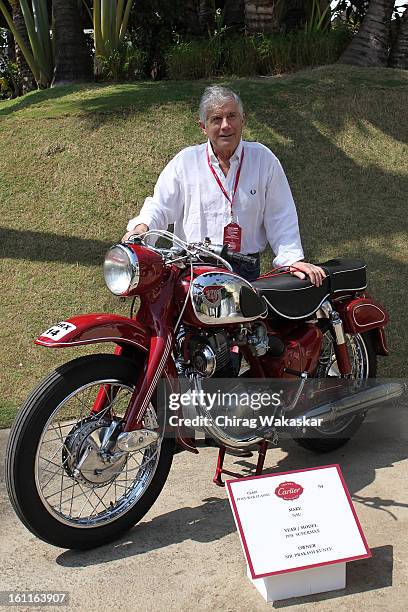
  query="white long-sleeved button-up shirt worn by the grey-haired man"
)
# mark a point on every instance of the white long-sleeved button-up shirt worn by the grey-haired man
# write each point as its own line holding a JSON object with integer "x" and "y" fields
{"x": 188, "y": 196}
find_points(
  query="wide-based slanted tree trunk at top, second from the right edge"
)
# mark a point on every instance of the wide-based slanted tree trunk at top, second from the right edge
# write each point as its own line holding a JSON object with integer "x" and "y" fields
{"x": 369, "y": 47}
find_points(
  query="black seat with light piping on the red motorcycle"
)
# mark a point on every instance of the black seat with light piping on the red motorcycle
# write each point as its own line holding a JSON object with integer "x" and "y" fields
{"x": 293, "y": 298}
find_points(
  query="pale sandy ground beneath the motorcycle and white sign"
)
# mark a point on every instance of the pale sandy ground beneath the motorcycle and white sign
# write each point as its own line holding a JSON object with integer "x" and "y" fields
{"x": 186, "y": 555}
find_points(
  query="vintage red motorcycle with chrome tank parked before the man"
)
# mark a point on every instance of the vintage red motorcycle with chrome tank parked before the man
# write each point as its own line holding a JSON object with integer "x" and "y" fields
{"x": 91, "y": 448}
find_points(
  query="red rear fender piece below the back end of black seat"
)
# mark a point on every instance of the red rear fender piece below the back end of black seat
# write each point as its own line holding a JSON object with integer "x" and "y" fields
{"x": 364, "y": 314}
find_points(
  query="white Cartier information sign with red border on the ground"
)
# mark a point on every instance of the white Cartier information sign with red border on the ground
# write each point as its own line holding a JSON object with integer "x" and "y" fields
{"x": 295, "y": 521}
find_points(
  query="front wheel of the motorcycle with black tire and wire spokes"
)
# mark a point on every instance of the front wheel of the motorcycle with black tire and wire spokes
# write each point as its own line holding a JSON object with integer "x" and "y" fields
{"x": 54, "y": 429}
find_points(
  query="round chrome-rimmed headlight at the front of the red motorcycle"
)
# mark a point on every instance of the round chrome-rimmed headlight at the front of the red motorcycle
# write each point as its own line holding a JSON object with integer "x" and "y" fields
{"x": 121, "y": 269}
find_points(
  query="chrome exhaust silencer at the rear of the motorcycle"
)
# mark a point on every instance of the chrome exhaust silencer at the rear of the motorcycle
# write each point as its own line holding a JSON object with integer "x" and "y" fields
{"x": 358, "y": 402}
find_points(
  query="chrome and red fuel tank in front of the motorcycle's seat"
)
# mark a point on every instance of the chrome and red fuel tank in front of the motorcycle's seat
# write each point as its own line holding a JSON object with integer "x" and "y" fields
{"x": 218, "y": 297}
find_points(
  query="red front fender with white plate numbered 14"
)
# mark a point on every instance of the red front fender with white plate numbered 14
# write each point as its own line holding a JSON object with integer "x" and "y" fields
{"x": 93, "y": 328}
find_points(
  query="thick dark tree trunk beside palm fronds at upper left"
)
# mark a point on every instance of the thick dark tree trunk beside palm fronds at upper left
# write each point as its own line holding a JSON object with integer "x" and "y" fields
{"x": 72, "y": 59}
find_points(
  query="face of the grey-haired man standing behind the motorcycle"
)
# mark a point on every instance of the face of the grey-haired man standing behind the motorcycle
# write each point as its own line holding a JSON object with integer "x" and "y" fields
{"x": 224, "y": 127}
